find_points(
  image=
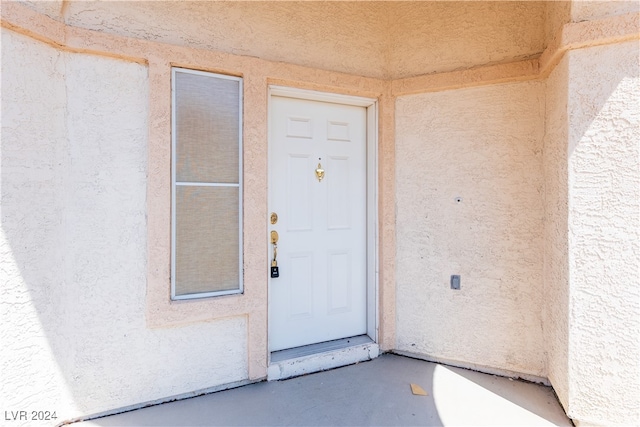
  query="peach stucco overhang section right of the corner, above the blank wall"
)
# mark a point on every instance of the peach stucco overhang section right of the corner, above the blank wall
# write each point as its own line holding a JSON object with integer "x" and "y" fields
{"x": 429, "y": 37}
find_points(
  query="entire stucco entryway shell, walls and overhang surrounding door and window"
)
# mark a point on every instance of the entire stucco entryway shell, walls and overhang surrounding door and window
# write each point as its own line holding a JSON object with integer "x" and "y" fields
{"x": 507, "y": 105}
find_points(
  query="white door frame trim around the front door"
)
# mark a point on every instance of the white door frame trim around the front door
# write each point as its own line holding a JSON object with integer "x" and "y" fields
{"x": 371, "y": 105}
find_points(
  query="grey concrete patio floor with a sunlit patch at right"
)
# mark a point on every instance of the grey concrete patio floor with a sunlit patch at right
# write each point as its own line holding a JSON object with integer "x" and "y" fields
{"x": 373, "y": 393}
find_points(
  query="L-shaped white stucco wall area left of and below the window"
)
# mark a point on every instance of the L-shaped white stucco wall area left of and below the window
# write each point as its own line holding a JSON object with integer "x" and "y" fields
{"x": 74, "y": 164}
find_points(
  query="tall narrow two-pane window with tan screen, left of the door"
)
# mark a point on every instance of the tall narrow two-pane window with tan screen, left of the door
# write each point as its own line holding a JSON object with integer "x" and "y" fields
{"x": 206, "y": 171}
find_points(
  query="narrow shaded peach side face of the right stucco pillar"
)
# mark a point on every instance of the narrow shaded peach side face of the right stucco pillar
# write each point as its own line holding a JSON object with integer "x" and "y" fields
{"x": 556, "y": 269}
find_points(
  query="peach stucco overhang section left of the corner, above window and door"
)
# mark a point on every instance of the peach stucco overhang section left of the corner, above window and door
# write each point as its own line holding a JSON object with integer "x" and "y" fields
{"x": 312, "y": 34}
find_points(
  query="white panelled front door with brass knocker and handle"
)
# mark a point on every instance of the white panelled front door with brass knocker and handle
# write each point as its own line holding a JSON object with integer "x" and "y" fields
{"x": 321, "y": 293}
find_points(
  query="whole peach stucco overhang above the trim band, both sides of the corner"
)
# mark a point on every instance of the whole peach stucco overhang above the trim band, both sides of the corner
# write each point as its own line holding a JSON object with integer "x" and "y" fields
{"x": 375, "y": 39}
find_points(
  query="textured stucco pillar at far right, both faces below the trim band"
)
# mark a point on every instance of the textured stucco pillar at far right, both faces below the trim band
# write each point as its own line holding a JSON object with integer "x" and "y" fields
{"x": 592, "y": 223}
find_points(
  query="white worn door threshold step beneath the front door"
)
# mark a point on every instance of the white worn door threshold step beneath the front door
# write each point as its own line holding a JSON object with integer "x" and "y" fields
{"x": 311, "y": 358}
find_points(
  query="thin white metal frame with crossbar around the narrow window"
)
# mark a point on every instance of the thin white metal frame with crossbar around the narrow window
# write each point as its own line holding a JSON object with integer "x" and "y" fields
{"x": 175, "y": 183}
